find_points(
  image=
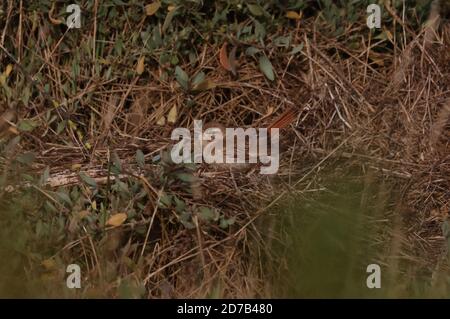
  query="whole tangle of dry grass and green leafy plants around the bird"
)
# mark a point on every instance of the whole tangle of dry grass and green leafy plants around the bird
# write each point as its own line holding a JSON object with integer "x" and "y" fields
{"x": 85, "y": 130}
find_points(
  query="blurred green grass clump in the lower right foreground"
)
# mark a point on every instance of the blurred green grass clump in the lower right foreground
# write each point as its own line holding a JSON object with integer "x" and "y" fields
{"x": 327, "y": 241}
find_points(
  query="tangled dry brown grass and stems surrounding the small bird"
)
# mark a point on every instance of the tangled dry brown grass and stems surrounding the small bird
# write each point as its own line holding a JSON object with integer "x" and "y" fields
{"x": 383, "y": 105}
